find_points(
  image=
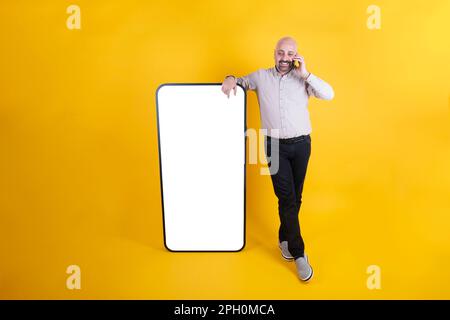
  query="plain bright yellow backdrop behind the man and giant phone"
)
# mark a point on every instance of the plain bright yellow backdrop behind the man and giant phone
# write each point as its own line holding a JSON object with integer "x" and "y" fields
{"x": 79, "y": 153}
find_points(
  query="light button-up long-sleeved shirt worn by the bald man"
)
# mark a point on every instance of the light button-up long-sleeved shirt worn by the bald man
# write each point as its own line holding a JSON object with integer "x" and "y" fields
{"x": 283, "y": 100}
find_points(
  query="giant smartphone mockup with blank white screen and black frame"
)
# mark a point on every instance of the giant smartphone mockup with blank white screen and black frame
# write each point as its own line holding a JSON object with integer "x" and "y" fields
{"x": 202, "y": 162}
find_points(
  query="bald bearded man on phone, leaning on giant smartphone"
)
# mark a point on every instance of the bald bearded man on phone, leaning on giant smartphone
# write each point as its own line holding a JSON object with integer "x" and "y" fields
{"x": 283, "y": 92}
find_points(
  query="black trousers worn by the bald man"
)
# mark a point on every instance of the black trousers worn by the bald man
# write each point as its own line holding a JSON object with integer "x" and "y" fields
{"x": 288, "y": 186}
